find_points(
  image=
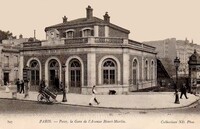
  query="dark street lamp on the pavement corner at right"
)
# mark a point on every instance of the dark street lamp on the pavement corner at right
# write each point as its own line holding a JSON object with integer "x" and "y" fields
{"x": 177, "y": 64}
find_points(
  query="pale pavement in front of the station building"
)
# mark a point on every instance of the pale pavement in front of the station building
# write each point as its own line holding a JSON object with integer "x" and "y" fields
{"x": 134, "y": 100}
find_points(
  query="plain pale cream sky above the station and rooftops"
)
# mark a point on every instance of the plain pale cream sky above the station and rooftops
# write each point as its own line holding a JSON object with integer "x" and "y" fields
{"x": 147, "y": 20}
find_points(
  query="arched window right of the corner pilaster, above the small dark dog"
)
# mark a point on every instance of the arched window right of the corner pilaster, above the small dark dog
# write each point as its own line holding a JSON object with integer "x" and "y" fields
{"x": 109, "y": 72}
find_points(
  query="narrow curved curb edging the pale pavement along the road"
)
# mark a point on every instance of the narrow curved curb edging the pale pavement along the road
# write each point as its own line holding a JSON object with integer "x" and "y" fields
{"x": 119, "y": 108}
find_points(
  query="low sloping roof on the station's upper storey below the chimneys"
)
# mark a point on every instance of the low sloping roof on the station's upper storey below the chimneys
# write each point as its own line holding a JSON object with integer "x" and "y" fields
{"x": 84, "y": 21}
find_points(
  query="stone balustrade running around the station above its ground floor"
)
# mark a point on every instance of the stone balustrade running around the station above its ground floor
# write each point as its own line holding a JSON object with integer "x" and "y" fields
{"x": 92, "y": 40}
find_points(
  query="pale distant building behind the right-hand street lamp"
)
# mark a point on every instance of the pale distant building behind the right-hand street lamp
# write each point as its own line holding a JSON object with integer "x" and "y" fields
{"x": 169, "y": 49}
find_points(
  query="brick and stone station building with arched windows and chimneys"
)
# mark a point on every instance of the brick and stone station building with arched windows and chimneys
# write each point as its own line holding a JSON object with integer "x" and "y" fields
{"x": 89, "y": 51}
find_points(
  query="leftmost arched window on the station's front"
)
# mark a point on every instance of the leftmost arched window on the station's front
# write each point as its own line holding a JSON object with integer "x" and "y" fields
{"x": 35, "y": 70}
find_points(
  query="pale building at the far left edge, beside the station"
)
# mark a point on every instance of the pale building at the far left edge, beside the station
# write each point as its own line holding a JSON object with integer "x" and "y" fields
{"x": 9, "y": 59}
